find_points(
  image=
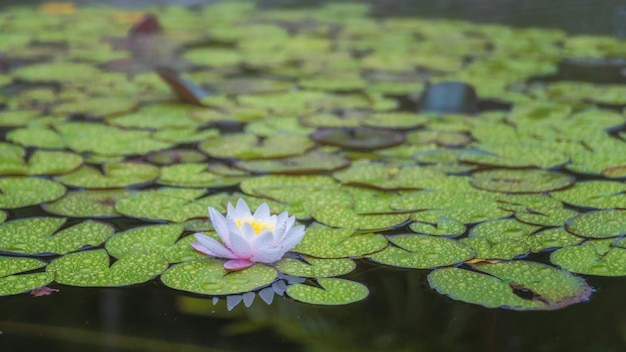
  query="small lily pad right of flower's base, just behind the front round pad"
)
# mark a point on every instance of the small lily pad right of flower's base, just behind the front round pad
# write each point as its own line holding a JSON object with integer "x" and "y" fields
{"x": 315, "y": 267}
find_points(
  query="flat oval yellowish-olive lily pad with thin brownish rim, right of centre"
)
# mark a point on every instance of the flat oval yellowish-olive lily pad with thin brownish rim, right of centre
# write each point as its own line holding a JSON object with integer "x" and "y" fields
{"x": 520, "y": 181}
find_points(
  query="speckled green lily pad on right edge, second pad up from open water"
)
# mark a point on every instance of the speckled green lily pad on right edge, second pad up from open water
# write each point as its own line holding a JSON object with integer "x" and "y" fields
{"x": 598, "y": 224}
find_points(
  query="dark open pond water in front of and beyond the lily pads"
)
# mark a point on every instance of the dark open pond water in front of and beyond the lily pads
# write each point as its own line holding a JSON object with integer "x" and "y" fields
{"x": 401, "y": 314}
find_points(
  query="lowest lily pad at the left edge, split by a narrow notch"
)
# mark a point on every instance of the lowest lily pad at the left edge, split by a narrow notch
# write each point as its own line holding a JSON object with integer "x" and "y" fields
{"x": 11, "y": 284}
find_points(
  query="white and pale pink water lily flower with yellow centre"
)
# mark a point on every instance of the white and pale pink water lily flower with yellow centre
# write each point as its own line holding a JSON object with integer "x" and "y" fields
{"x": 249, "y": 238}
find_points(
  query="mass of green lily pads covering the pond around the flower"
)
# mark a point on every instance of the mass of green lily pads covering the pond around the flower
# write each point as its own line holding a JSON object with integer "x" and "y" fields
{"x": 407, "y": 143}
